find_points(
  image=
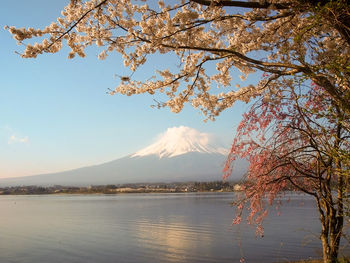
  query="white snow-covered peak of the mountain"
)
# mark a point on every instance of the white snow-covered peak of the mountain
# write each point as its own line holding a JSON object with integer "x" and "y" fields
{"x": 180, "y": 140}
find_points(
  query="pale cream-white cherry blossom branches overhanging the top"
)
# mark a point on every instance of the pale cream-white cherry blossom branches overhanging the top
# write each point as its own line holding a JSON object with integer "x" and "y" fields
{"x": 309, "y": 40}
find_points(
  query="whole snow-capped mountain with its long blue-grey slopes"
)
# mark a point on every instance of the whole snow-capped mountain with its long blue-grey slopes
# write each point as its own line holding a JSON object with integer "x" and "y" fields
{"x": 178, "y": 155}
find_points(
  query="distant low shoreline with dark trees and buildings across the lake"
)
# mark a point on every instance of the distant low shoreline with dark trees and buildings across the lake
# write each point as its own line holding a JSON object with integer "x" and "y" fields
{"x": 124, "y": 188}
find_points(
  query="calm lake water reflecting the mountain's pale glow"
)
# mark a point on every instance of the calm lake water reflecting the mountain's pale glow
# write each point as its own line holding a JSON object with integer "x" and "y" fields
{"x": 150, "y": 228}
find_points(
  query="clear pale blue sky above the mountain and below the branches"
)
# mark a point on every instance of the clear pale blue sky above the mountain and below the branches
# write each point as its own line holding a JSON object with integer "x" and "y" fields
{"x": 55, "y": 114}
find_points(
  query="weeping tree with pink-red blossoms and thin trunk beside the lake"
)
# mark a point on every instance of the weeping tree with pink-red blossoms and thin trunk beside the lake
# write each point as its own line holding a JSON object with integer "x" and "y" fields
{"x": 296, "y": 141}
